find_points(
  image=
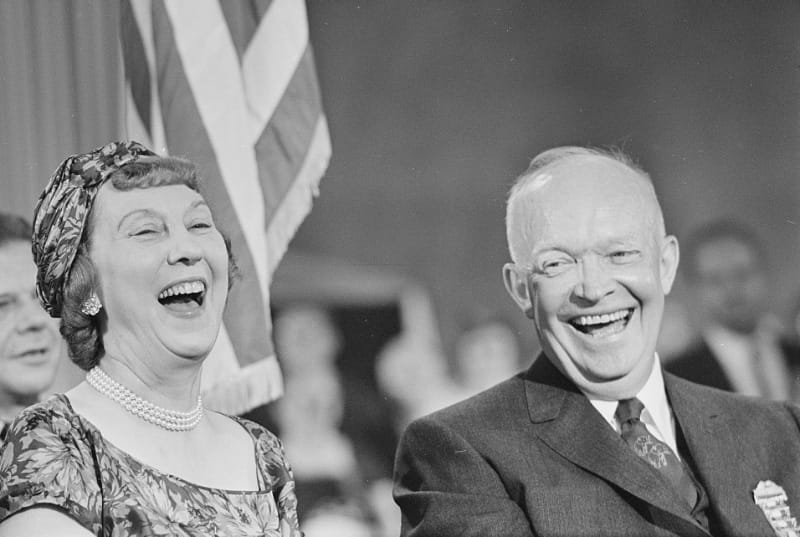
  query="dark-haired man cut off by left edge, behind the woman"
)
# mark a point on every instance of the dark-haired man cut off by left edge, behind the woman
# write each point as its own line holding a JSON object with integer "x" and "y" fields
{"x": 30, "y": 345}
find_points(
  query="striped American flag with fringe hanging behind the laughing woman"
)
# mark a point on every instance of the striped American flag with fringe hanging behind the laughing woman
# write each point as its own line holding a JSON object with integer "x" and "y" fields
{"x": 231, "y": 85}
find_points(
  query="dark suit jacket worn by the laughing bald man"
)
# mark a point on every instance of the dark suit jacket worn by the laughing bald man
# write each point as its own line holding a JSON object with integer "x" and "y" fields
{"x": 532, "y": 456}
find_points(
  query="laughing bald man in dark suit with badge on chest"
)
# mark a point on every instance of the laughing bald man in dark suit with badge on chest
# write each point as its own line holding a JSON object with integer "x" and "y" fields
{"x": 594, "y": 439}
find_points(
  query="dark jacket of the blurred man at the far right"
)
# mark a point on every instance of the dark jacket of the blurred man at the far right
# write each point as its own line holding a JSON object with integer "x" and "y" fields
{"x": 698, "y": 364}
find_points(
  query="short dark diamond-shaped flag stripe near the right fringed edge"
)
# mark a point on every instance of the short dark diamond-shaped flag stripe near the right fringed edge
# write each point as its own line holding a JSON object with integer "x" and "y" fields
{"x": 283, "y": 145}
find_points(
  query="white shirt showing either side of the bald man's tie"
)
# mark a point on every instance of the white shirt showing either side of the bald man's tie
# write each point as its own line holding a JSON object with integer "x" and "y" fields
{"x": 657, "y": 414}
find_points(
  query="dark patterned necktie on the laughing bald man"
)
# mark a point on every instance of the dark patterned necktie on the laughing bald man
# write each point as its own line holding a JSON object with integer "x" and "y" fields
{"x": 654, "y": 451}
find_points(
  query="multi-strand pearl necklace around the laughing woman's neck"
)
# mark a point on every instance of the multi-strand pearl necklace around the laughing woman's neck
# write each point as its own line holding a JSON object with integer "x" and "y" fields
{"x": 167, "y": 419}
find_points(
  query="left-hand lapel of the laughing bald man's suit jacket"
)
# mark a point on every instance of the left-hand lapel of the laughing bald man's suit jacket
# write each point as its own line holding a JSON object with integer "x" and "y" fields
{"x": 568, "y": 423}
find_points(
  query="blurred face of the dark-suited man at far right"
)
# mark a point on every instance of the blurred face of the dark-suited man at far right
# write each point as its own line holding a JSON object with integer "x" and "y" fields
{"x": 731, "y": 283}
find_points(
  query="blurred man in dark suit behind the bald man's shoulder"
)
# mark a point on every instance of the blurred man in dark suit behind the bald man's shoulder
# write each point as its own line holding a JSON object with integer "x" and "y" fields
{"x": 742, "y": 347}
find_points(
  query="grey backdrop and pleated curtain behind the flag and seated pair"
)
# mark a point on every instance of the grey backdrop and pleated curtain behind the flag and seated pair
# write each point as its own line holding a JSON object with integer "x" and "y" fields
{"x": 434, "y": 107}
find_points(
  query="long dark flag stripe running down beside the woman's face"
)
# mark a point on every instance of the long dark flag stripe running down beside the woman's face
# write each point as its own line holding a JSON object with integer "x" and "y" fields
{"x": 248, "y": 327}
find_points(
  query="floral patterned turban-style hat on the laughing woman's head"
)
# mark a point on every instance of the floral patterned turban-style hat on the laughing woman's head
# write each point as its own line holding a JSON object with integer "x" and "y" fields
{"x": 61, "y": 211}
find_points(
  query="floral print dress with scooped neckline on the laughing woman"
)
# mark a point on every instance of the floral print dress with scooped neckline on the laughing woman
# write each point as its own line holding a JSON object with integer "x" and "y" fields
{"x": 54, "y": 457}
